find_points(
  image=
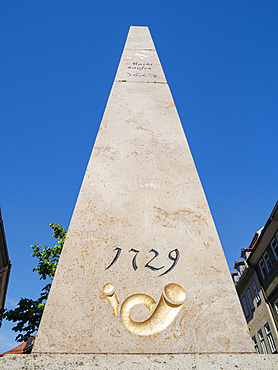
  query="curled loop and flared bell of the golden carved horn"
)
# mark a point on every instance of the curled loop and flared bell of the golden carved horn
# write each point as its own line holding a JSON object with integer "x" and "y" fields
{"x": 163, "y": 315}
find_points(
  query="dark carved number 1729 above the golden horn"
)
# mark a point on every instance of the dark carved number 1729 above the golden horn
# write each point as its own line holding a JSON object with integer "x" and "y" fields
{"x": 173, "y": 255}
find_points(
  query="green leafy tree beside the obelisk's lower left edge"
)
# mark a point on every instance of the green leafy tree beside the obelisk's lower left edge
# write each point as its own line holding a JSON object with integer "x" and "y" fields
{"x": 28, "y": 312}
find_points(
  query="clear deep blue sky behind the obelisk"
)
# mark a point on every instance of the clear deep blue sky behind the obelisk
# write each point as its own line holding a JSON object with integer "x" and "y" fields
{"x": 58, "y": 60}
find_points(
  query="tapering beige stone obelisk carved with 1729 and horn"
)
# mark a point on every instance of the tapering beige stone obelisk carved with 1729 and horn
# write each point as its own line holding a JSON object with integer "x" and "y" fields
{"x": 142, "y": 269}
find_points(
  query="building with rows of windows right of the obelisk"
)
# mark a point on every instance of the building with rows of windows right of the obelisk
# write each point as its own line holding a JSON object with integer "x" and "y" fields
{"x": 256, "y": 281}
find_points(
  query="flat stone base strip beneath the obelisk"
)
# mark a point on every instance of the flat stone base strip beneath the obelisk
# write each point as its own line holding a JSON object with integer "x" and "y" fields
{"x": 128, "y": 362}
